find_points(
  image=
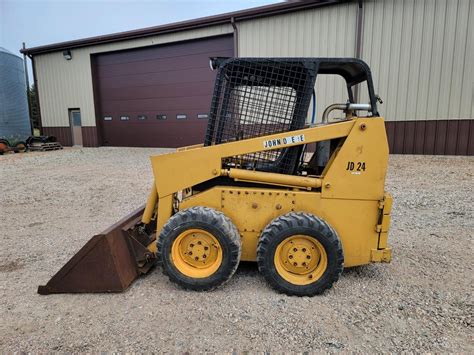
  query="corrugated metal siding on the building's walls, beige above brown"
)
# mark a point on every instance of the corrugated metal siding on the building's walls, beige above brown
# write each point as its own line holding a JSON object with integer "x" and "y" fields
{"x": 421, "y": 53}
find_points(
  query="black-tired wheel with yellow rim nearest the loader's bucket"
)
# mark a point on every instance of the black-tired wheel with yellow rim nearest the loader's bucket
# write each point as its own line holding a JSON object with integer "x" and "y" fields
{"x": 199, "y": 248}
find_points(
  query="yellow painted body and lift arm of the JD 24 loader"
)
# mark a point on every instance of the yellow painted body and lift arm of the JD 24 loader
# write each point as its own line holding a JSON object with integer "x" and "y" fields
{"x": 349, "y": 194}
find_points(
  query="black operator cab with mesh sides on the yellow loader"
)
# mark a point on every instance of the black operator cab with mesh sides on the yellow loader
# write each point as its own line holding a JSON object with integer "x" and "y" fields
{"x": 254, "y": 97}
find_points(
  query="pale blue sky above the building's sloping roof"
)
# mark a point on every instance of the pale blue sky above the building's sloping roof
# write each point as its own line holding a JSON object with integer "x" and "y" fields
{"x": 39, "y": 22}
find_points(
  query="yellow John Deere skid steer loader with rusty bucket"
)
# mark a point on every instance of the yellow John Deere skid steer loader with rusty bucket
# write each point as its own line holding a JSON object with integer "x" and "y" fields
{"x": 303, "y": 201}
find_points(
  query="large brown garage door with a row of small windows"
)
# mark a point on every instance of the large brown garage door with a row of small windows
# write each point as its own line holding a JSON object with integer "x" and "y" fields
{"x": 157, "y": 96}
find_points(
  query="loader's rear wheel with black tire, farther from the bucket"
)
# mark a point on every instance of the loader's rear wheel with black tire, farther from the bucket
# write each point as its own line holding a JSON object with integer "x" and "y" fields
{"x": 300, "y": 254}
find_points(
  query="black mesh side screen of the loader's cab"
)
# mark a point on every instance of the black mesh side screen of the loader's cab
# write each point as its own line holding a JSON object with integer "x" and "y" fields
{"x": 257, "y": 97}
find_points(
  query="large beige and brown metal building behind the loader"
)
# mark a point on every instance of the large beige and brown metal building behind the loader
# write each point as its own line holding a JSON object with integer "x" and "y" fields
{"x": 152, "y": 87}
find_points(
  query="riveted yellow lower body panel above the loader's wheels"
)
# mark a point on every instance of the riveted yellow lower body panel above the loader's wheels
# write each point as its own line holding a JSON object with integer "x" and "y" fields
{"x": 251, "y": 209}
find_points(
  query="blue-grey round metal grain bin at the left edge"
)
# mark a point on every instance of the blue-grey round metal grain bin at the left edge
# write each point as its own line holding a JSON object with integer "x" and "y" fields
{"x": 14, "y": 115}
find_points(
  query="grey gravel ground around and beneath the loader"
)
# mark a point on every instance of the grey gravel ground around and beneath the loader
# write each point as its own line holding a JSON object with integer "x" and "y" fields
{"x": 422, "y": 301}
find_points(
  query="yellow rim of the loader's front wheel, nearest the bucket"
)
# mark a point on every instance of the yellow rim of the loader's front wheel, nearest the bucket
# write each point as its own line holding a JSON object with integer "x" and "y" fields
{"x": 196, "y": 253}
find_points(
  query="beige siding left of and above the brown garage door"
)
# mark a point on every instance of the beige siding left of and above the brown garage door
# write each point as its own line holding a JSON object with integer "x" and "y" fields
{"x": 66, "y": 84}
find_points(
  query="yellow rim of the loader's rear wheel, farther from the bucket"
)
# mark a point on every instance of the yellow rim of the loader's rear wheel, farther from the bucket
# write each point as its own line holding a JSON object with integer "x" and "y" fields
{"x": 300, "y": 259}
